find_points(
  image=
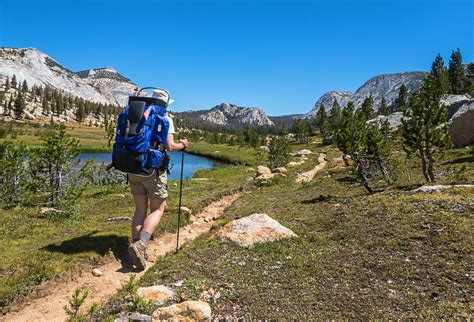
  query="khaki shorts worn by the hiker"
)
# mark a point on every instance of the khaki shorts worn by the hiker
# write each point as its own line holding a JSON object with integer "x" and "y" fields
{"x": 153, "y": 186}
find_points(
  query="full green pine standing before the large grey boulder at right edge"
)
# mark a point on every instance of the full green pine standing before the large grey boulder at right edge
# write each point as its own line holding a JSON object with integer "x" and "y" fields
{"x": 424, "y": 126}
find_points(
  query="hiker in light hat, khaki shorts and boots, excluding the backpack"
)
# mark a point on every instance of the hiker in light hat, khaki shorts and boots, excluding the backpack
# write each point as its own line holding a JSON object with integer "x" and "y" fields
{"x": 153, "y": 189}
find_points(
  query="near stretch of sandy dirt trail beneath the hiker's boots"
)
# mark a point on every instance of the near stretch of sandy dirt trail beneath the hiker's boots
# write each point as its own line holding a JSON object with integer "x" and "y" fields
{"x": 49, "y": 307}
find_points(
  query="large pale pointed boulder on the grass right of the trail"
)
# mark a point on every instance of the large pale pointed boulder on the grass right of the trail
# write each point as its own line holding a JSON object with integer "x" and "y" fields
{"x": 253, "y": 229}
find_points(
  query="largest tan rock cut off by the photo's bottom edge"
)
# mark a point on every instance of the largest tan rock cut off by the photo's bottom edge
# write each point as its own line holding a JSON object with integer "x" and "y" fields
{"x": 189, "y": 310}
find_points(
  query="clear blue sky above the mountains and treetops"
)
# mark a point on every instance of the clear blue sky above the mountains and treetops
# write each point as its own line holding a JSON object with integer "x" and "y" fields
{"x": 278, "y": 55}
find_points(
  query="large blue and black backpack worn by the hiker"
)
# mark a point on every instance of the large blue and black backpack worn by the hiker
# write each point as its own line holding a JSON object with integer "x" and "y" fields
{"x": 141, "y": 129}
